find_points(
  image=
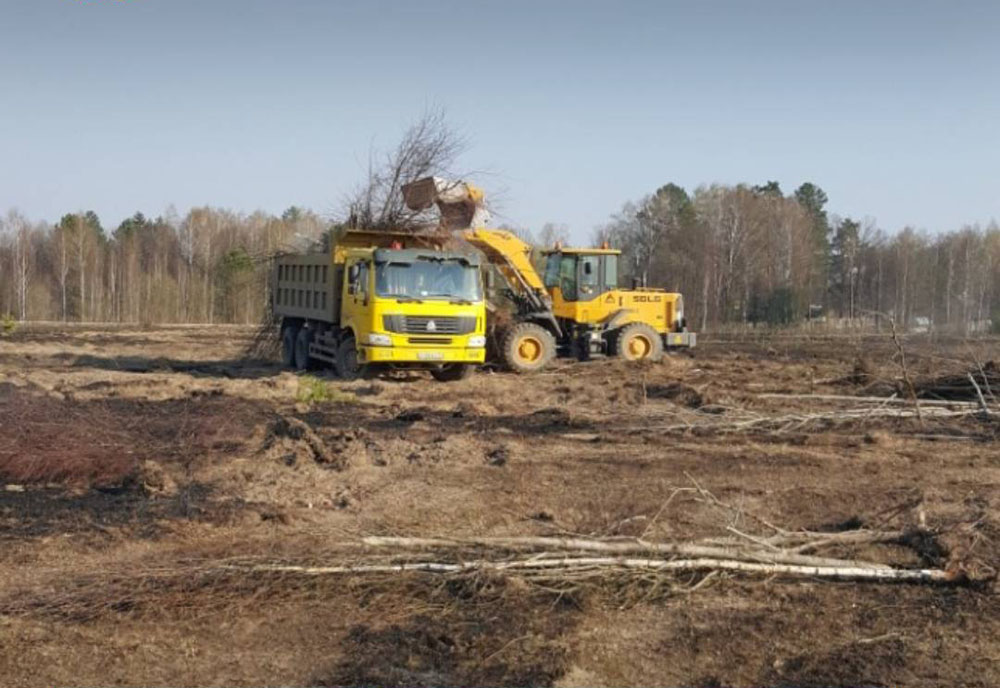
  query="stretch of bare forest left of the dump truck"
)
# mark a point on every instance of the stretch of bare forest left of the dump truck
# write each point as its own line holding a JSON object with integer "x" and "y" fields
{"x": 211, "y": 266}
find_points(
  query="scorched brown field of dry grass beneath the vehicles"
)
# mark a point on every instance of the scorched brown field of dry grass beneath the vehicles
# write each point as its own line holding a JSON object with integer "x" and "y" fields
{"x": 162, "y": 492}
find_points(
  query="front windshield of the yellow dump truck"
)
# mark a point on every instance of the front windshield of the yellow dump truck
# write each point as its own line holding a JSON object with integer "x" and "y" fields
{"x": 429, "y": 279}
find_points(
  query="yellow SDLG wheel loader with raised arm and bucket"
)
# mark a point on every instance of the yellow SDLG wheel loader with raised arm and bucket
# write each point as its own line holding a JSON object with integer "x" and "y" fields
{"x": 576, "y": 308}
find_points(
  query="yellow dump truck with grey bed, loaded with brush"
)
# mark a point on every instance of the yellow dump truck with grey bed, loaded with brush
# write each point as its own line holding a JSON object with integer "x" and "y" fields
{"x": 378, "y": 299}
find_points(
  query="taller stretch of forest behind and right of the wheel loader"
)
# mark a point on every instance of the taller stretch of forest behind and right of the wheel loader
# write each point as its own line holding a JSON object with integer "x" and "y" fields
{"x": 754, "y": 255}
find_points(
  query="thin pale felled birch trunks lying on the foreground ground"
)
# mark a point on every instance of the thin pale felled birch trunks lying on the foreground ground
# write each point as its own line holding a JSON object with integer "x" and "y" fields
{"x": 549, "y": 559}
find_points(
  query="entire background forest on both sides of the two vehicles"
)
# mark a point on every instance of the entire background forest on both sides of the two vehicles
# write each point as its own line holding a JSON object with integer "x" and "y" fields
{"x": 740, "y": 255}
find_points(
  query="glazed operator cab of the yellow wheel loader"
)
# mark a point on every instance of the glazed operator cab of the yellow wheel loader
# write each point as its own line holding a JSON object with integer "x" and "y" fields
{"x": 581, "y": 274}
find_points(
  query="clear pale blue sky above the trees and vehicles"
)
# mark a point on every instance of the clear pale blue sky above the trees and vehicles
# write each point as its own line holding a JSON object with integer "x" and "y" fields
{"x": 574, "y": 107}
